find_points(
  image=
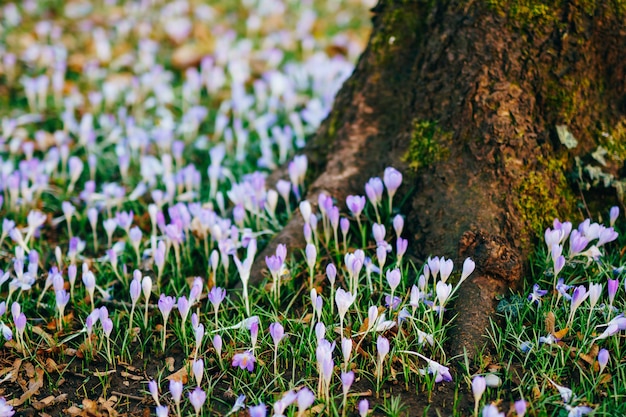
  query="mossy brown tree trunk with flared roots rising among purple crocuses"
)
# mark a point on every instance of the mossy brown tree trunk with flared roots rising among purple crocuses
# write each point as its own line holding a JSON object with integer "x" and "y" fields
{"x": 466, "y": 96}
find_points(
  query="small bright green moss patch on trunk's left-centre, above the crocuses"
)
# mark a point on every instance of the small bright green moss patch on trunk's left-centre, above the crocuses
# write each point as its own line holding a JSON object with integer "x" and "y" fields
{"x": 427, "y": 145}
